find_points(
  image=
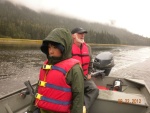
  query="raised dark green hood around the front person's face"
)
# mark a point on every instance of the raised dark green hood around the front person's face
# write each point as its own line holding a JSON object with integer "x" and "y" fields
{"x": 61, "y": 36}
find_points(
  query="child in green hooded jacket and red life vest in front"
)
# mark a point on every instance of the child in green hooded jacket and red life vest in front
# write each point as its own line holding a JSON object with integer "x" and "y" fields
{"x": 61, "y": 81}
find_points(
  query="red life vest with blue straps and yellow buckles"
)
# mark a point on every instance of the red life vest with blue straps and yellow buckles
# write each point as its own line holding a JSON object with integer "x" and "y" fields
{"x": 54, "y": 93}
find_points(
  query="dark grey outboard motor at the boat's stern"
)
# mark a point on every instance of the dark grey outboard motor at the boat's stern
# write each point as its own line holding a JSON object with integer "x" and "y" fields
{"x": 103, "y": 62}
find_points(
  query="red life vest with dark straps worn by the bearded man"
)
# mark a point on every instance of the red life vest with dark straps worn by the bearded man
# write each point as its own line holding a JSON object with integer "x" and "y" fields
{"x": 82, "y": 55}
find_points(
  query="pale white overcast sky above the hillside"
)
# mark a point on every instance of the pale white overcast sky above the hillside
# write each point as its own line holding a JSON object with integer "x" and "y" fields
{"x": 133, "y": 15}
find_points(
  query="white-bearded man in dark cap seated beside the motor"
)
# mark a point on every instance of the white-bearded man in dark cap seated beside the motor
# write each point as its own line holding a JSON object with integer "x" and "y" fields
{"x": 82, "y": 52}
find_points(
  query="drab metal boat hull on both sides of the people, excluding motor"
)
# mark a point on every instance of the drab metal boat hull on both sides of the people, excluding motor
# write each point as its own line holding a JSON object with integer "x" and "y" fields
{"x": 134, "y": 98}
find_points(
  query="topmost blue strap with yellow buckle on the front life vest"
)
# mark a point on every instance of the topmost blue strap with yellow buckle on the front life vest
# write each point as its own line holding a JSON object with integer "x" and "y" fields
{"x": 53, "y": 67}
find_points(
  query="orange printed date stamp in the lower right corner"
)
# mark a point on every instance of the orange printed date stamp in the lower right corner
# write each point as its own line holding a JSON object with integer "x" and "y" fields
{"x": 132, "y": 101}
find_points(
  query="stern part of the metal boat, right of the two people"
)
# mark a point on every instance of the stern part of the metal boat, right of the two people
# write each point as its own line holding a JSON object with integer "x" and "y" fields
{"x": 134, "y": 97}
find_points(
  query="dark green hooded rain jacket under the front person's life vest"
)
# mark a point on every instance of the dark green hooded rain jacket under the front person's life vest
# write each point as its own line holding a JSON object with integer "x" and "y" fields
{"x": 75, "y": 77}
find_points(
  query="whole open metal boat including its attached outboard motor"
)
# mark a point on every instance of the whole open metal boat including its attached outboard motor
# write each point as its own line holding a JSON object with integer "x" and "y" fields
{"x": 116, "y": 95}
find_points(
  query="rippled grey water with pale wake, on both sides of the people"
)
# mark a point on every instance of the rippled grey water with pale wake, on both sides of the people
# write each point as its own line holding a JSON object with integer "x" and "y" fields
{"x": 21, "y": 64}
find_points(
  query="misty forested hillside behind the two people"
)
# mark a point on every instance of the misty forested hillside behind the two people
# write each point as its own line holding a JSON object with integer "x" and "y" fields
{"x": 19, "y": 22}
